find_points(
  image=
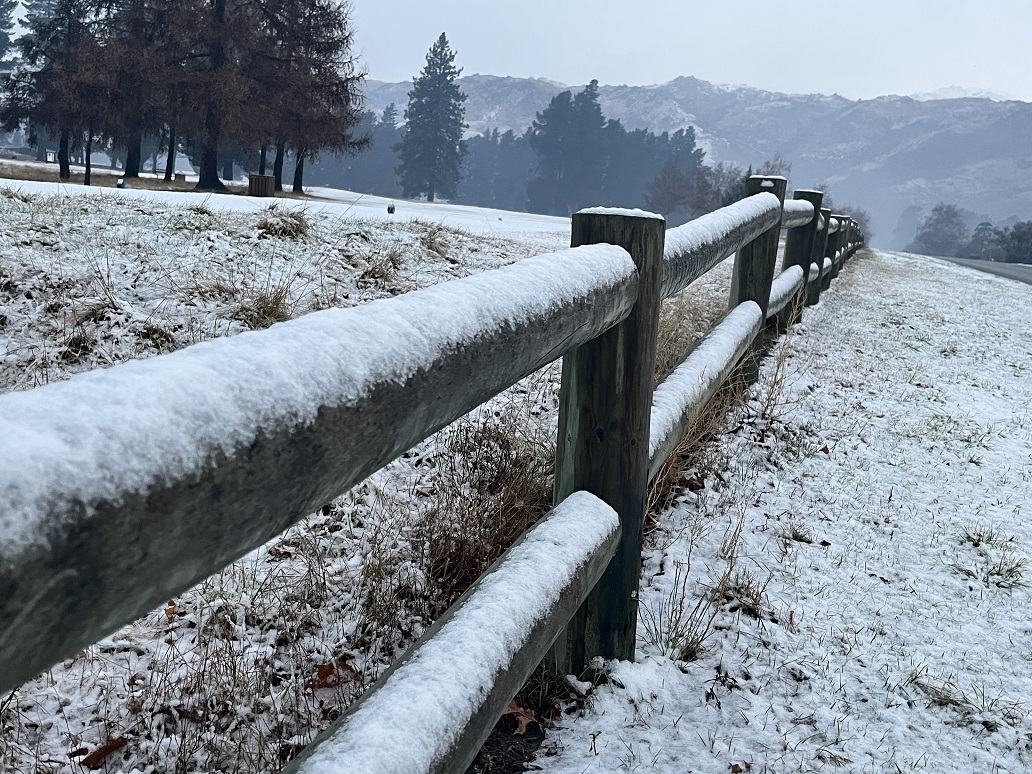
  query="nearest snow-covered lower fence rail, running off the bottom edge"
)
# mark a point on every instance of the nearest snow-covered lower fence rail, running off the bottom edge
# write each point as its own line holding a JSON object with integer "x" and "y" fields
{"x": 412, "y": 722}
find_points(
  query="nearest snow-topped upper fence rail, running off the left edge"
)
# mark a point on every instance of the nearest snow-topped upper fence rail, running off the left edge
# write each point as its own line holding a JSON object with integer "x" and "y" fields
{"x": 186, "y": 462}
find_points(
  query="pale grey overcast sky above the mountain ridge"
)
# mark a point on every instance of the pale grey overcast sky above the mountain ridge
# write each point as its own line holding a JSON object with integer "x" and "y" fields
{"x": 859, "y": 50}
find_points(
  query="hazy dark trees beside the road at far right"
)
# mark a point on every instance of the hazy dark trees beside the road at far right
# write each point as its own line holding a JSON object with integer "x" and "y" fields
{"x": 945, "y": 233}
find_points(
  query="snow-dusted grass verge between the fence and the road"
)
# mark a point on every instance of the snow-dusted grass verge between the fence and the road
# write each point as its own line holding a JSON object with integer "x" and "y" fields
{"x": 877, "y": 618}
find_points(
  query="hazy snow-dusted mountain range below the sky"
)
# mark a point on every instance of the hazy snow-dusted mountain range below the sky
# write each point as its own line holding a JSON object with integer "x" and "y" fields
{"x": 894, "y": 156}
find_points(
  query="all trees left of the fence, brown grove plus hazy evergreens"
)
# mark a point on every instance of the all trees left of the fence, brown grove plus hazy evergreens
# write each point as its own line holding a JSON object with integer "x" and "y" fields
{"x": 234, "y": 80}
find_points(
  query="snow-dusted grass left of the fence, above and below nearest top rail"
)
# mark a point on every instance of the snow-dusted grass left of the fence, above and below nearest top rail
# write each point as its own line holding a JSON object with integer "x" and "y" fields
{"x": 238, "y": 674}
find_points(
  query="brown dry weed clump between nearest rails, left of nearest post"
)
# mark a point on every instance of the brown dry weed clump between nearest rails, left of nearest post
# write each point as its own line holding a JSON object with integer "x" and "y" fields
{"x": 487, "y": 485}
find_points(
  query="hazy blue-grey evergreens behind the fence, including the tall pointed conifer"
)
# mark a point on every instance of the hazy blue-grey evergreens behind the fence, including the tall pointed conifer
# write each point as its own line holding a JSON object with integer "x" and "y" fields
{"x": 571, "y": 157}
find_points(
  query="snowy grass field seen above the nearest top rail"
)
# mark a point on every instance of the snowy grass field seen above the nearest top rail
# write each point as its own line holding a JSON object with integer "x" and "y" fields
{"x": 89, "y": 279}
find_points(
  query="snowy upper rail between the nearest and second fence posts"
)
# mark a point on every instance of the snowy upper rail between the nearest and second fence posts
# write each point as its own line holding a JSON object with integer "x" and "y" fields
{"x": 694, "y": 249}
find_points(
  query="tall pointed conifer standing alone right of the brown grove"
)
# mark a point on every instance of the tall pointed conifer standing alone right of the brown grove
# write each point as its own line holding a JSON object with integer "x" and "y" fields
{"x": 432, "y": 146}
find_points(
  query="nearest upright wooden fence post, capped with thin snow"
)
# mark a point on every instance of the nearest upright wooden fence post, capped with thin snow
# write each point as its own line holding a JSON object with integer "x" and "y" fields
{"x": 605, "y": 408}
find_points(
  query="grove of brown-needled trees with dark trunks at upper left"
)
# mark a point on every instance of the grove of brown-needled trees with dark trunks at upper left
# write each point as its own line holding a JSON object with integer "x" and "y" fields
{"x": 231, "y": 77}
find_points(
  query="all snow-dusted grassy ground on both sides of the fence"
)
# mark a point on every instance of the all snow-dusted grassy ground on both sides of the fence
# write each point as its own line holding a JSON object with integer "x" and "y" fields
{"x": 842, "y": 587}
